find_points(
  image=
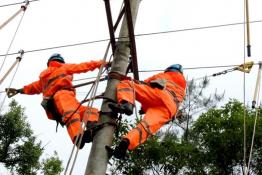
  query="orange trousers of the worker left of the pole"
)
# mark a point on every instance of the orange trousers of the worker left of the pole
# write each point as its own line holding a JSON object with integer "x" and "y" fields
{"x": 66, "y": 104}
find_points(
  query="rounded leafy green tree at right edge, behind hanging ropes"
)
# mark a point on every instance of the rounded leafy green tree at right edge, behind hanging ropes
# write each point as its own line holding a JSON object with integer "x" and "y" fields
{"x": 219, "y": 136}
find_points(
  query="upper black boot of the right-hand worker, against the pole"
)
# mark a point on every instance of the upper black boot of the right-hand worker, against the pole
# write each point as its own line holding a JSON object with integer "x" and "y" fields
{"x": 124, "y": 107}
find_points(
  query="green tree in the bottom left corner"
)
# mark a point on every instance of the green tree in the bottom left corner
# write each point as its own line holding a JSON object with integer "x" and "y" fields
{"x": 19, "y": 150}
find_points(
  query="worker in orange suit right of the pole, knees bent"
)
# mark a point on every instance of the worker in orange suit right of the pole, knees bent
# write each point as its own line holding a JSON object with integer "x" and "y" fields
{"x": 159, "y": 95}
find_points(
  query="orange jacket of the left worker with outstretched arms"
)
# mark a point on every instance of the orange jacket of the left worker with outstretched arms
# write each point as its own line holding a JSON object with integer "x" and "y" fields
{"x": 58, "y": 77}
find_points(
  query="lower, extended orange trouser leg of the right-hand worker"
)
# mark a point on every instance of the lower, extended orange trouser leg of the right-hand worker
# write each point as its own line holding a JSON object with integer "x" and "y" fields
{"x": 153, "y": 120}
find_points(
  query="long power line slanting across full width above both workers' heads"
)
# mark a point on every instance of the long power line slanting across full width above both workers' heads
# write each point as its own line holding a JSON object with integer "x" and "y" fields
{"x": 138, "y": 35}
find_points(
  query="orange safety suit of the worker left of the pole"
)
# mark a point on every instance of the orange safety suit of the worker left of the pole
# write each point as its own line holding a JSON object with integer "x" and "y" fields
{"x": 56, "y": 82}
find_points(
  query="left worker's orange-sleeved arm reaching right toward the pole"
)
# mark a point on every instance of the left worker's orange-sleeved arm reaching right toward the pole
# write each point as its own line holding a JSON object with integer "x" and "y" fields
{"x": 83, "y": 67}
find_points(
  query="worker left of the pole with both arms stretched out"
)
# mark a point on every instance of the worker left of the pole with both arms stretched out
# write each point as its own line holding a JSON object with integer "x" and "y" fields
{"x": 59, "y": 100}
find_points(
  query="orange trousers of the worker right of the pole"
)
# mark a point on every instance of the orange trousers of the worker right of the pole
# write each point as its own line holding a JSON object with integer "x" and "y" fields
{"x": 154, "y": 103}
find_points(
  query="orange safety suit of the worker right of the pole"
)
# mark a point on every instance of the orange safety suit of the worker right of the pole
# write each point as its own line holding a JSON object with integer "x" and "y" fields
{"x": 159, "y": 105}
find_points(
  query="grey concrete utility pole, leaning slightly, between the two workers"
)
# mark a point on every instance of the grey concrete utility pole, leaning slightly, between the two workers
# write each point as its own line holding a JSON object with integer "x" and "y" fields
{"x": 98, "y": 158}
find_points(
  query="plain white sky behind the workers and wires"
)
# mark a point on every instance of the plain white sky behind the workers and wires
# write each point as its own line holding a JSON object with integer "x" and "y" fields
{"x": 50, "y": 23}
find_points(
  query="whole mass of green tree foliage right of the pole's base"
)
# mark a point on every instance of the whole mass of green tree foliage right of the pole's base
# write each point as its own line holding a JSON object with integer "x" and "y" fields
{"x": 214, "y": 146}
